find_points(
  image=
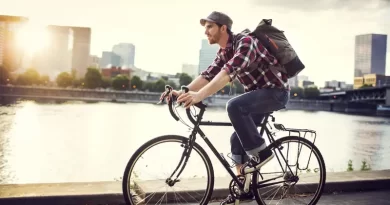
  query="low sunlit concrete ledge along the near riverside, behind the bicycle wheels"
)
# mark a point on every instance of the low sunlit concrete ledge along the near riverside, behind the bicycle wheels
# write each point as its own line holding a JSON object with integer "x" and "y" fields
{"x": 111, "y": 192}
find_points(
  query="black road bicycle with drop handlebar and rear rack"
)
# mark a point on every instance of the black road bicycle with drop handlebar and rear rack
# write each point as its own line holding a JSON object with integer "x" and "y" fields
{"x": 136, "y": 193}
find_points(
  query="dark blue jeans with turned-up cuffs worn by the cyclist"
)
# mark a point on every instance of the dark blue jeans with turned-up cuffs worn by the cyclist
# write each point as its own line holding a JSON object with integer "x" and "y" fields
{"x": 246, "y": 111}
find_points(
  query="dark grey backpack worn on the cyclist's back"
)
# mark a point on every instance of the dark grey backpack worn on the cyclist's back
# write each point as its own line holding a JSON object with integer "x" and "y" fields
{"x": 277, "y": 44}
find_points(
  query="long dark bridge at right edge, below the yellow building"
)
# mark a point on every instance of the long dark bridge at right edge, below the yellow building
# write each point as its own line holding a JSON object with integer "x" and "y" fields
{"x": 372, "y": 95}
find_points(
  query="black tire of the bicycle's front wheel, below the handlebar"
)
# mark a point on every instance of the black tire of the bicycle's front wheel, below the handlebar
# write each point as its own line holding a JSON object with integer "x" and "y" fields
{"x": 158, "y": 140}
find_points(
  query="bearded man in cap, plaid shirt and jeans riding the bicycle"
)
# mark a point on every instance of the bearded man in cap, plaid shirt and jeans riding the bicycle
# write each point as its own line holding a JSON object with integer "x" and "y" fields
{"x": 243, "y": 57}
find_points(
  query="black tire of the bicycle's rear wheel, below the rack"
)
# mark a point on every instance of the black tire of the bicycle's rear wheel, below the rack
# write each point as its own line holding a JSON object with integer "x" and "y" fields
{"x": 320, "y": 188}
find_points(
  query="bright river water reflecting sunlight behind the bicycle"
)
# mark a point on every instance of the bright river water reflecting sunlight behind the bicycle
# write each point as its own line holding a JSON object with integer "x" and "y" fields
{"x": 81, "y": 142}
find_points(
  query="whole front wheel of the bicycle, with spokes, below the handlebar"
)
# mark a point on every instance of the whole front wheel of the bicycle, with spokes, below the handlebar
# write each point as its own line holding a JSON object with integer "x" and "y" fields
{"x": 150, "y": 175}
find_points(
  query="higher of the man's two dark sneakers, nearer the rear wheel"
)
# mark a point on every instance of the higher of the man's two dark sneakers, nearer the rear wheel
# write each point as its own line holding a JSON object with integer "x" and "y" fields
{"x": 255, "y": 163}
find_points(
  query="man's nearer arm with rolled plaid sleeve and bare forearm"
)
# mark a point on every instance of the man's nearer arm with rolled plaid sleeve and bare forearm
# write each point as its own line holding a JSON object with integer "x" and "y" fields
{"x": 245, "y": 55}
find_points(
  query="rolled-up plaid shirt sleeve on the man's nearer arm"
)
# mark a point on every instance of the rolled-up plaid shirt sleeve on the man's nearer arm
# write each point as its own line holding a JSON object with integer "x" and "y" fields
{"x": 244, "y": 55}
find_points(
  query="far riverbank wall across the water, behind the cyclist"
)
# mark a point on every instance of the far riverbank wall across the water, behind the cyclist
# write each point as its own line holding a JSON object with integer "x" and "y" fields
{"x": 12, "y": 93}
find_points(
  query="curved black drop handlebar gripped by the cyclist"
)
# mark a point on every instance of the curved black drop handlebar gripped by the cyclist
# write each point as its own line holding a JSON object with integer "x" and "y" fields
{"x": 168, "y": 90}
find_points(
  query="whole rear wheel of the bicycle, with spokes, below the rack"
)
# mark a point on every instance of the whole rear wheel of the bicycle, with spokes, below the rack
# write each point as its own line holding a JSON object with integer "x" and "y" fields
{"x": 302, "y": 169}
